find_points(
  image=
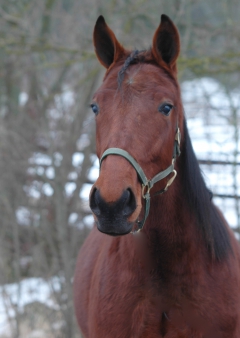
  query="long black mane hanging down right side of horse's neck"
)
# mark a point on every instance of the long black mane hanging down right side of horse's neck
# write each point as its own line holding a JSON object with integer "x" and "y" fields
{"x": 198, "y": 197}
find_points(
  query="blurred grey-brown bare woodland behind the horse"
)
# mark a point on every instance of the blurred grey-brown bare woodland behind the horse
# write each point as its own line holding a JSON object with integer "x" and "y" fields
{"x": 48, "y": 72}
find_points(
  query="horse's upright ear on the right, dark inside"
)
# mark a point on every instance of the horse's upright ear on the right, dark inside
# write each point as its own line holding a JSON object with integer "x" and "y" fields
{"x": 166, "y": 43}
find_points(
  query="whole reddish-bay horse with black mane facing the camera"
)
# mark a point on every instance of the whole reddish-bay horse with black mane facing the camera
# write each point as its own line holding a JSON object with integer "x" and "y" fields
{"x": 170, "y": 269}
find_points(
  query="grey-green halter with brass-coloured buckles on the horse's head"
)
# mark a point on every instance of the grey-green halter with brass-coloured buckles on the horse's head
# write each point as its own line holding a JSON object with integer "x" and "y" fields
{"x": 148, "y": 184}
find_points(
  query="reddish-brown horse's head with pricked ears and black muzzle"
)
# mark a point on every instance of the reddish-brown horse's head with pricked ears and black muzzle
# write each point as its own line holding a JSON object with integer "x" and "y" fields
{"x": 138, "y": 110}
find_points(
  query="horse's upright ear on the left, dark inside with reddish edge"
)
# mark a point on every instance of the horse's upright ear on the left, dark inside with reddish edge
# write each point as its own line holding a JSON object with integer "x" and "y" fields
{"x": 107, "y": 47}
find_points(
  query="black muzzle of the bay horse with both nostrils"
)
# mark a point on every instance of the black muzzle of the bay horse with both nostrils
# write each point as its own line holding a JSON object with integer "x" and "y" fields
{"x": 112, "y": 217}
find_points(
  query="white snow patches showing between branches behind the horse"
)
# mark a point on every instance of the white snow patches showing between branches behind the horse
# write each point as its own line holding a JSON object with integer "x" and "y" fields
{"x": 210, "y": 112}
